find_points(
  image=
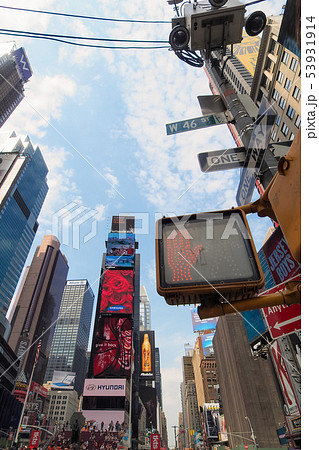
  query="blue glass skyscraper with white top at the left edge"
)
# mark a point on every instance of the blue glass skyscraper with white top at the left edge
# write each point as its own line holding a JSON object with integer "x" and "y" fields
{"x": 23, "y": 188}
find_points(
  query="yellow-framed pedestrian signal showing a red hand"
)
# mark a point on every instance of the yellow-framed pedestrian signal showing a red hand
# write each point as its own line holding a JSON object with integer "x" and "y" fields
{"x": 209, "y": 253}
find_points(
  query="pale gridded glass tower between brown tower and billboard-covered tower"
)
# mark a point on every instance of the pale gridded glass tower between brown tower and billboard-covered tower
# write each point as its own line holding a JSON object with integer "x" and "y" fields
{"x": 71, "y": 335}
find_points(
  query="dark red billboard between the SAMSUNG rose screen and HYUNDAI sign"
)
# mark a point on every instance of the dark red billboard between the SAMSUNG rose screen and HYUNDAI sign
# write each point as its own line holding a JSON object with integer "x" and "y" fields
{"x": 112, "y": 347}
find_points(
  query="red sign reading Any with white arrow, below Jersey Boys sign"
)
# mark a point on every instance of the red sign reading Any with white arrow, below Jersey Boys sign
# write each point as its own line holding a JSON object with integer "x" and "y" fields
{"x": 282, "y": 319}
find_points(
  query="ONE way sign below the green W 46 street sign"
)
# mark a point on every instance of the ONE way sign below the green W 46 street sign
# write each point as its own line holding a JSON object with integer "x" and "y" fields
{"x": 214, "y": 161}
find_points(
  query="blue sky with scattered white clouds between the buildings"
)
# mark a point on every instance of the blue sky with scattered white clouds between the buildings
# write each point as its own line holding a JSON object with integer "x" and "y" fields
{"x": 98, "y": 116}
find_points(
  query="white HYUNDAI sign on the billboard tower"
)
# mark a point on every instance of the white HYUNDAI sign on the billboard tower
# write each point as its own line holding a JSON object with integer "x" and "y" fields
{"x": 112, "y": 387}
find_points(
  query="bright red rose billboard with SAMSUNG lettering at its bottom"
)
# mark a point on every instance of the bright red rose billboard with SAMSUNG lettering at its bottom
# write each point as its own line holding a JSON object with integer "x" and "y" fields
{"x": 117, "y": 292}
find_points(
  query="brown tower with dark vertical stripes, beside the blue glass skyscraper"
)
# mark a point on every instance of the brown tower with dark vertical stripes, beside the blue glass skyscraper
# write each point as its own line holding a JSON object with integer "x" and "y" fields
{"x": 37, "y": 308}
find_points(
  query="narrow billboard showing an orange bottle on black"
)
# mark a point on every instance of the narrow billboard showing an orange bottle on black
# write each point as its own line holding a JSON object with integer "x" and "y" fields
{"x": 147, "y": 355}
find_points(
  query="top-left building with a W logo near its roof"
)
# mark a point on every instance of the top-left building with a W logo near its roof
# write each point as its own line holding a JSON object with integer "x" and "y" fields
{"x": 15, "y": 71}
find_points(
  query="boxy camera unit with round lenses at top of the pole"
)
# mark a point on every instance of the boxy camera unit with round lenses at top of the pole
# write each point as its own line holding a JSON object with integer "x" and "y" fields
{"x": 213, "y": 25}
